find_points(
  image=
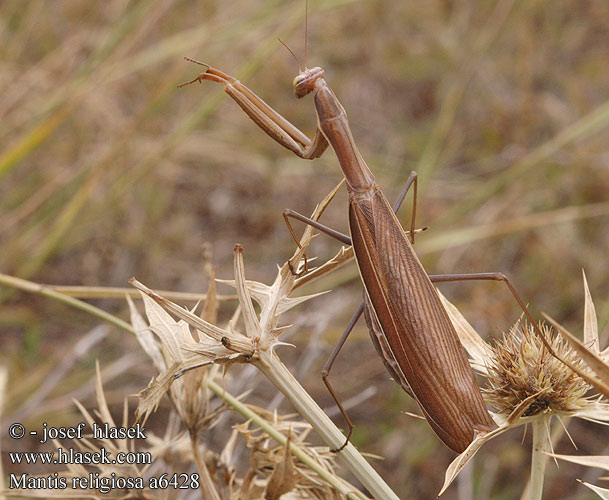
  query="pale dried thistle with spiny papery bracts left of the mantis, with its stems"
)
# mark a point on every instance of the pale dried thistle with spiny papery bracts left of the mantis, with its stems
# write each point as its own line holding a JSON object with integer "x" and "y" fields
{"x": 192, "y": 342}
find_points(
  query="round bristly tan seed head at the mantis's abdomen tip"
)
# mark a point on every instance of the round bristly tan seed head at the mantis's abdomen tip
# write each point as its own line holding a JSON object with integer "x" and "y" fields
{"x": 521, "y": 367}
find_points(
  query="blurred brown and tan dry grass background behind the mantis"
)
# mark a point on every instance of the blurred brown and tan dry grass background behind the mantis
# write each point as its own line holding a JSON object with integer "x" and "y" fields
{"x": 108, "y": 171}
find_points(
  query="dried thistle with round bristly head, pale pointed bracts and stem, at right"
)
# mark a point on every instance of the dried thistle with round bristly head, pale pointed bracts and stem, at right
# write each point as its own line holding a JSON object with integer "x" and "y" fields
{"x": 527, "y": 384}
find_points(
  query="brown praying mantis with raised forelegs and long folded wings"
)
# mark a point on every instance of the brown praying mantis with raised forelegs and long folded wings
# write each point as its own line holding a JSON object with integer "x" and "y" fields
{"x": 408, "y": 324}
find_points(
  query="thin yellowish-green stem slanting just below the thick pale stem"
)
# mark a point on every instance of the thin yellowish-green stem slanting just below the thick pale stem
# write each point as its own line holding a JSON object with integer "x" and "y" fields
{"x": 297, "y": 451}
